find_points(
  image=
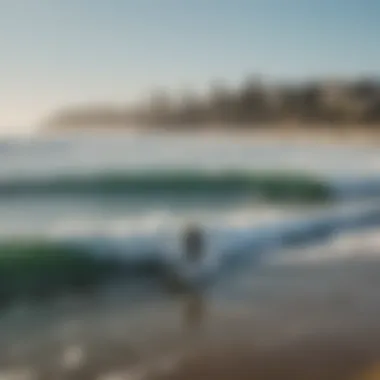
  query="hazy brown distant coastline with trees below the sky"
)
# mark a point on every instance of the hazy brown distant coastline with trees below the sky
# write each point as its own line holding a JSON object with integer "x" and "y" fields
{"x": 320, "y": 105}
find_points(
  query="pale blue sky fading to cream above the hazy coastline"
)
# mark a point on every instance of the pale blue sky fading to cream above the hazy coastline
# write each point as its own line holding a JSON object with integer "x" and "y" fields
{"x": 55, "y": 53}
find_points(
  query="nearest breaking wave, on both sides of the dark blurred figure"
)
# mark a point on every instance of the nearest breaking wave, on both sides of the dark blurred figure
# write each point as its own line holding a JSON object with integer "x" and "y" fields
{"x": 38, "y": 268}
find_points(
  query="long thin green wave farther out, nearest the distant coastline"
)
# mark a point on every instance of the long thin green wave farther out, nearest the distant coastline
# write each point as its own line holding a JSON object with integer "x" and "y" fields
{"x": 270, "y": 185}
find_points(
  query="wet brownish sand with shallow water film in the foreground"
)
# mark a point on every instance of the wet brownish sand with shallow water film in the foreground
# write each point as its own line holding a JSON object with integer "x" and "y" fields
{"x": 303, "y": 321}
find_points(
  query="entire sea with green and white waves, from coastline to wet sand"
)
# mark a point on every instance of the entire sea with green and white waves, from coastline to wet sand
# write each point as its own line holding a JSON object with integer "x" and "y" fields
{"x": 121, "y": 202}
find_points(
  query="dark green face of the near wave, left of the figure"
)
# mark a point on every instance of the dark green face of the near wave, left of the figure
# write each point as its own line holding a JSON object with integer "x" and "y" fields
{"x": 37, "y": 270}
